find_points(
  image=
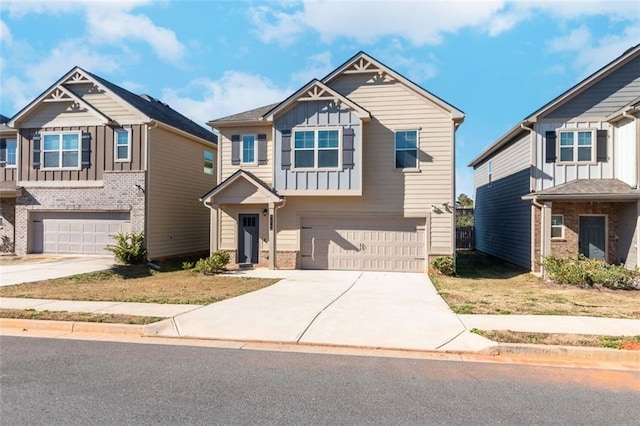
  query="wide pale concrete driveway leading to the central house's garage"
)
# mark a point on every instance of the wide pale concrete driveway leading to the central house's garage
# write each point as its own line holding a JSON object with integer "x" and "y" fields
{"x": 365, "y": 309}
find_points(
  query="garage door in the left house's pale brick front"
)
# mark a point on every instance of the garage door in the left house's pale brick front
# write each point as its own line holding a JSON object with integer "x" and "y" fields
{"x": 76, "y": 233}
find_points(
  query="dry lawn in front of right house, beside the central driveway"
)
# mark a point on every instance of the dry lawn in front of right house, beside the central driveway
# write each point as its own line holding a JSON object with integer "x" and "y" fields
{"x": 512, "y": 290}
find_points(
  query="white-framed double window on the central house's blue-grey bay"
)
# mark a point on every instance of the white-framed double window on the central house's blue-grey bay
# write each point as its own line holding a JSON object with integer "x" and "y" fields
{"x": 319, "y": 149}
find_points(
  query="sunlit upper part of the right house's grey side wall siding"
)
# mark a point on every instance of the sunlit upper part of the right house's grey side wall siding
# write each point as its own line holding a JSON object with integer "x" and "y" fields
{"x": 511, "y": 159}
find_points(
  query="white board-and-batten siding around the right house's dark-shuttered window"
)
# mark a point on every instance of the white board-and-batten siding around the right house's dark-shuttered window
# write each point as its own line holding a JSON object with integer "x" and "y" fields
{"x": 548, "y": 175}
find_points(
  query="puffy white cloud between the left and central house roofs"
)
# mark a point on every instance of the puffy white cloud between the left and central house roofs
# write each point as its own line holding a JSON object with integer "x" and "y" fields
{"x": 234, "y": 92}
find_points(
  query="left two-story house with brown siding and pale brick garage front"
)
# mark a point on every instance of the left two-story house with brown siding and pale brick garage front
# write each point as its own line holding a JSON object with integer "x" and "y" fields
{"x": 94, "y": 159}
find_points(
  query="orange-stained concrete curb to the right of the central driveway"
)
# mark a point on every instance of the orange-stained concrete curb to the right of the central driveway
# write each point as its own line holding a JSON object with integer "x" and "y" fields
{"x": 573, "y": 352}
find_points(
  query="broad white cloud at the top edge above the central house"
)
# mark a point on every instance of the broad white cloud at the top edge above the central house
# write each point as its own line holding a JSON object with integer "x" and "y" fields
{"x": 419, "y": 22}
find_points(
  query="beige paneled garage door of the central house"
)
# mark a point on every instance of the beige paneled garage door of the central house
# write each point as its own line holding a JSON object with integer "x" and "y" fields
{"x": 371, "y": 244}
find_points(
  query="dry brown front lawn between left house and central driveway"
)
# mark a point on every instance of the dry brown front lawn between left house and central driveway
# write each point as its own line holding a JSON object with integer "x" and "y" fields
{"x": 140, "y": 283}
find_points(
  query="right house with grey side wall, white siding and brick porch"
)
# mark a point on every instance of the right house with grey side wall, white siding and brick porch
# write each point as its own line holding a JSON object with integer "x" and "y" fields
{"x": 565, "y": 180}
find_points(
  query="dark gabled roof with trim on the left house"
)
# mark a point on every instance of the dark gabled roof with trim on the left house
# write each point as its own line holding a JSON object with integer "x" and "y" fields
{"x": 149, "y": 109}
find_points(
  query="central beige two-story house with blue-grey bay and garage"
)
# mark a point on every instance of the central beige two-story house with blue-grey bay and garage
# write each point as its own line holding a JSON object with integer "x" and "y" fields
{"x": 354, "y": 171}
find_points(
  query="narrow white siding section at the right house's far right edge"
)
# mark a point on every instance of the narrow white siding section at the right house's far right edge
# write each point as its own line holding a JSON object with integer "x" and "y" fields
{"x": 626, "y": 152}
